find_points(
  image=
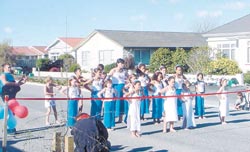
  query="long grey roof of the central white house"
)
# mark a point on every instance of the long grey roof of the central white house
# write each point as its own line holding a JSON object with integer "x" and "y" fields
{"x": 155, "y": 39}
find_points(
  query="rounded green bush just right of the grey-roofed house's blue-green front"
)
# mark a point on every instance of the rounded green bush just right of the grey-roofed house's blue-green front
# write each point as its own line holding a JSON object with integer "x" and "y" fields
{"x": 161, "y": 56}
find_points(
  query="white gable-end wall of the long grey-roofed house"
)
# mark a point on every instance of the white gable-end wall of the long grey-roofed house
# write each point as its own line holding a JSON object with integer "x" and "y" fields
{"x": 96, "y": 44}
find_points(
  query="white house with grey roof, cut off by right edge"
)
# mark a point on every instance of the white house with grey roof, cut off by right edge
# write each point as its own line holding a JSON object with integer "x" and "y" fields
{"x": 232, "y": 40}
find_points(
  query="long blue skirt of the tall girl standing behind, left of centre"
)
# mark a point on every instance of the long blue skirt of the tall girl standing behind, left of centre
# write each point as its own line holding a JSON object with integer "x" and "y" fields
{"x": 119, "y": 104}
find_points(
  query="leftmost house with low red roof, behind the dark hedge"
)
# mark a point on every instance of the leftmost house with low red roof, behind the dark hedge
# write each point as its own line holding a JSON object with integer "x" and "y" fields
{"x": 26, "y": 56}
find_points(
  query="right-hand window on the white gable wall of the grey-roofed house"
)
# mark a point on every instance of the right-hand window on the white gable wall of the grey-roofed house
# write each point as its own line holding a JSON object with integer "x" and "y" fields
{"x": 106, "y": 57}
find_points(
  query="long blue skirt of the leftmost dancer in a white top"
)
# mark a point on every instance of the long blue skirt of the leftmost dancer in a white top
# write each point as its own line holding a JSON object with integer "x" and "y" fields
{"x": 72, "y": 112}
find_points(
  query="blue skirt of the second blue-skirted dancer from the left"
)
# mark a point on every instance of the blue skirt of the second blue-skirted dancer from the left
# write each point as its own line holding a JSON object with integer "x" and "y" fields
{"x": 96, "y": 106}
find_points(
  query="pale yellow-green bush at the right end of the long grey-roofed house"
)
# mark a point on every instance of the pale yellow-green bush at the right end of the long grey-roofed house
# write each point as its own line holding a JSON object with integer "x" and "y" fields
{"x": 199, "y": 59}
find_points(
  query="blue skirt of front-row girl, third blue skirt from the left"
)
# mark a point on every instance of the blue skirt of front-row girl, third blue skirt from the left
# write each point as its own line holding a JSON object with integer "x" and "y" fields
{"x": 109, "y": 114}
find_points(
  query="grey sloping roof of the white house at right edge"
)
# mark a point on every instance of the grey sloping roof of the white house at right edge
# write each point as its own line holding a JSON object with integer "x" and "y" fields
{"x": 240, "y": 25}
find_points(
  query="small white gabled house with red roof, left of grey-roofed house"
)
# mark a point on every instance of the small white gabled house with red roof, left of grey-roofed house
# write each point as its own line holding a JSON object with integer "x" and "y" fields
{"x": 61, "y": 46}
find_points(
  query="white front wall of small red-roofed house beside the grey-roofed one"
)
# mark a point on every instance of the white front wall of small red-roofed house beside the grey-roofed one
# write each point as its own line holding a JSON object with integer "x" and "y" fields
{"x": 58, "y": 49}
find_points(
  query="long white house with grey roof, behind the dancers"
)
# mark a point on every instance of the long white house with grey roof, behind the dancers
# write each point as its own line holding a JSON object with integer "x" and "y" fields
{"x": 105, "y": 46}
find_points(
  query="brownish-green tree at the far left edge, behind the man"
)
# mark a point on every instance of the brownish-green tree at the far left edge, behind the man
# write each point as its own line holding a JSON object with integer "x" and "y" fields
{"x": 6, "y": 55}
